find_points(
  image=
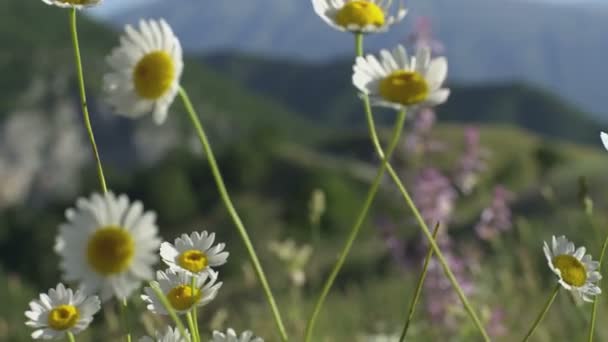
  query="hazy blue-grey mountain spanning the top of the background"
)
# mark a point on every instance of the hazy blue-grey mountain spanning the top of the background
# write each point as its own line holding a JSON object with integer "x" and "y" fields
{"x": 558, "y": 47}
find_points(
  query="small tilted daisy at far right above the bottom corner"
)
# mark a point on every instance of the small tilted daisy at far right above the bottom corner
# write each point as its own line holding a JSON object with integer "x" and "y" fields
{"x": 576, "y": 271}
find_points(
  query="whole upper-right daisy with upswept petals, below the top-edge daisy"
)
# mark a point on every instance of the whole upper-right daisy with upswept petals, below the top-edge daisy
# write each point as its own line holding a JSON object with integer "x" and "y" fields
{"x": 398, "y": 81}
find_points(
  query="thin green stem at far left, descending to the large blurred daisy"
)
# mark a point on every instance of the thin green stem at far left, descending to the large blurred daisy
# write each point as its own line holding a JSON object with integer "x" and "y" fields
{"x": 83, "y": 100}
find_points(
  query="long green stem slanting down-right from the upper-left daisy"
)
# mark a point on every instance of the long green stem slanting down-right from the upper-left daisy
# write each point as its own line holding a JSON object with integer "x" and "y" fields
{"x": 232, "y": 211}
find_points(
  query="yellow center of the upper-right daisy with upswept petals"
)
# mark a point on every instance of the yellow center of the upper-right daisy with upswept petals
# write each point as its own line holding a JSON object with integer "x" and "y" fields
{"x": 404, "y": 87}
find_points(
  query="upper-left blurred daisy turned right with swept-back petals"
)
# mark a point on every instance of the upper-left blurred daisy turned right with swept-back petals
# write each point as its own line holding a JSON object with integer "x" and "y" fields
{"x": 146, "y": 69}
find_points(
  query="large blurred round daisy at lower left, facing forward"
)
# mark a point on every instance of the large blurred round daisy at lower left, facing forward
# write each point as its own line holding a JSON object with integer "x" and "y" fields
{"x": 109, "y": 245}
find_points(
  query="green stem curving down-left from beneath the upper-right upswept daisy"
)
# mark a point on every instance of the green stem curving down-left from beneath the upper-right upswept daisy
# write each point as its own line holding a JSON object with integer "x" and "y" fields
{"x": 357, "y": 226}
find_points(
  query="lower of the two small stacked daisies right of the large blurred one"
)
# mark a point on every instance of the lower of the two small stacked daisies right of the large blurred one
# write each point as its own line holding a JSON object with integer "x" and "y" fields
{"x": 176, "y": 285}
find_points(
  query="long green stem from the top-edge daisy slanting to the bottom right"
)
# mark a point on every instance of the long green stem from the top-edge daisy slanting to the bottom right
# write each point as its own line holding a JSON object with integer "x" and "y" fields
{"x": 422, "y": 225}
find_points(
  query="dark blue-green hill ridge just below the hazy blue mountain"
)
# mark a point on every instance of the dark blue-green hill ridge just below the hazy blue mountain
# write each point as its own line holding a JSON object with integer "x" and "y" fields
{"x": 324, "y": 93}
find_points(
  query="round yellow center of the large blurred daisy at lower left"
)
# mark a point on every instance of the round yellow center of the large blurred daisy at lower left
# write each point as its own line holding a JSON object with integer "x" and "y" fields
{"x": 110, "y": 250}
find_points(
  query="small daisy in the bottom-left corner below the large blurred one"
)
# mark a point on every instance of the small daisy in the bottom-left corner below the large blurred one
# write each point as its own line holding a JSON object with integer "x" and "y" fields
{"x": 61, "y": 311}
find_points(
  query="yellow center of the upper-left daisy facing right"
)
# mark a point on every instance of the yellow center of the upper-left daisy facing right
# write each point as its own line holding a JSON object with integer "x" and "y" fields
{"x": 153, "y": 75}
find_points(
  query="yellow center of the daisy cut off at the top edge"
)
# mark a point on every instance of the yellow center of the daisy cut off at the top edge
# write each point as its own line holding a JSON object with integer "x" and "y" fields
{"x": 361, "y": 13}
